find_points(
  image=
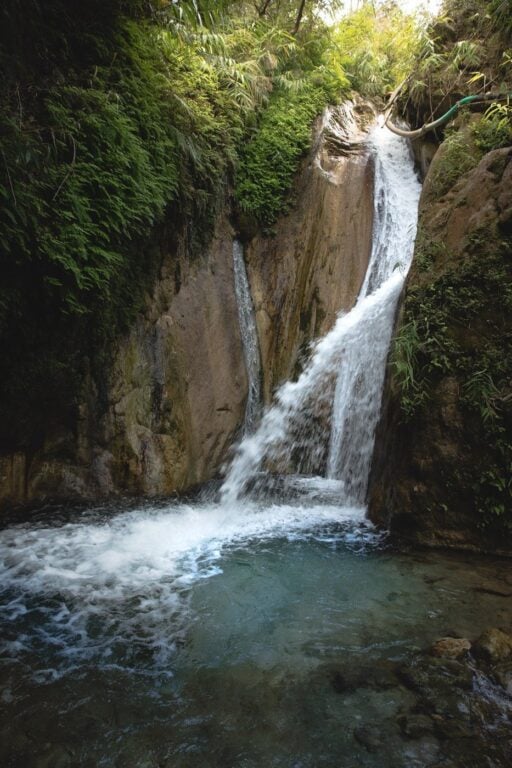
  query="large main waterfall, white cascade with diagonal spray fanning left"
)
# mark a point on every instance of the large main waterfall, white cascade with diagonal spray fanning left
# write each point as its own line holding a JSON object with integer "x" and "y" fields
{"x": 325, "y": 421}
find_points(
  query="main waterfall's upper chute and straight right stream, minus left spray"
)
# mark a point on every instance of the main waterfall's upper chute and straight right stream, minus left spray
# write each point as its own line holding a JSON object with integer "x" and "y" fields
{"x": 360, "y": 380}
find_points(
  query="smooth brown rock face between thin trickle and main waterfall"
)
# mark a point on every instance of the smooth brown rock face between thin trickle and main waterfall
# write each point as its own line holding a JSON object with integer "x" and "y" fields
{"x": 315, "y": 264}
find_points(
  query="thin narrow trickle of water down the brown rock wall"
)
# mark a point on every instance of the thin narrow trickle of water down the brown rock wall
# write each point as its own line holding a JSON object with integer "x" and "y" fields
{"x": 250, "y": 344}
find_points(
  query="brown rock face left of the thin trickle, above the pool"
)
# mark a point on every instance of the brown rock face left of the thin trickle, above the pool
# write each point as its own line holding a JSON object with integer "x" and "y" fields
{"x": 174, "y": 398}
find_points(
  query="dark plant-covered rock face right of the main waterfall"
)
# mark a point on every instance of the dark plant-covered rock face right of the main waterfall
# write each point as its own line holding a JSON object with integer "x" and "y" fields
{"x": 441, "y": 473}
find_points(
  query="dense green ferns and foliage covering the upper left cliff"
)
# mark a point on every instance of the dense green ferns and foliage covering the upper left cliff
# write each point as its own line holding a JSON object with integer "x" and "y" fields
{"x": 118, "y": 120}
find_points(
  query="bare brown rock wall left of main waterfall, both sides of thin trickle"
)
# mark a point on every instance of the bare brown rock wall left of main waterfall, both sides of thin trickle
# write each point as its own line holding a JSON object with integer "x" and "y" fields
{"x": 173, "y": 402}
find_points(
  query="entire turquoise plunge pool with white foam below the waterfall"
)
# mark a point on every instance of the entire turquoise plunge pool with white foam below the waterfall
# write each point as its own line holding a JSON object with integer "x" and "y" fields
{"x": 284, "y": 633}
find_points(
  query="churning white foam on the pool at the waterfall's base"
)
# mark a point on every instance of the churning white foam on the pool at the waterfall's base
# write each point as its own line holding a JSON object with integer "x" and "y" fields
{"x": 110, "y": 588}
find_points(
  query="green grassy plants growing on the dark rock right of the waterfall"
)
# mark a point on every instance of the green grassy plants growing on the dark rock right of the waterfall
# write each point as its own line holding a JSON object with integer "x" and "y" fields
{"x": 455, "y": 325}
